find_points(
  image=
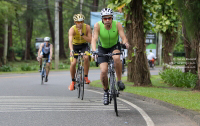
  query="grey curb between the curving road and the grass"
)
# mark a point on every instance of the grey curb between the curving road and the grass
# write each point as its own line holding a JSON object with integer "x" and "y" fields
{"x": 193, "y": 115}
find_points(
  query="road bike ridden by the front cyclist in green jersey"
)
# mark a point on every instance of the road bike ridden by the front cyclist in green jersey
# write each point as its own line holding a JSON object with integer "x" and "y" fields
{"x": 113, "y": 92}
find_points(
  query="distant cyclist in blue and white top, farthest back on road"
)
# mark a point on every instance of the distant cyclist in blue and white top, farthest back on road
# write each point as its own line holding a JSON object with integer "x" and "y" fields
{"x": 45, "y": 51}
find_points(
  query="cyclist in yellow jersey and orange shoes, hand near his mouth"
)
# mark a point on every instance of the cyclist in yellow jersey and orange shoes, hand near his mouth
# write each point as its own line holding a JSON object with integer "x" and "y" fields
{"x": 79, "y": 37}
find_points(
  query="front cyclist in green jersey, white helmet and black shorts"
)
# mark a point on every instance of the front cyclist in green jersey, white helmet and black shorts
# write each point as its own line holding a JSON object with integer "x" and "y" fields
{"x": 108, "y": 31}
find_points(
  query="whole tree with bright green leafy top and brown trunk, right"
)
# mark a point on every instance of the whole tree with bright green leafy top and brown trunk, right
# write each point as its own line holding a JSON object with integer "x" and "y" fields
{"x": 166, "y": 20}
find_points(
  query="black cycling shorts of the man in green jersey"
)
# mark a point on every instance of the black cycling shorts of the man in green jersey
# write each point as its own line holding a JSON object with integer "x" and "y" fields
{"x": 106, "y": 51}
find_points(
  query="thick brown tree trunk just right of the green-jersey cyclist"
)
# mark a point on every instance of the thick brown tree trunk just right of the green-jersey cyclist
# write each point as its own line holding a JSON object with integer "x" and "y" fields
{"x": 138, "y": 71}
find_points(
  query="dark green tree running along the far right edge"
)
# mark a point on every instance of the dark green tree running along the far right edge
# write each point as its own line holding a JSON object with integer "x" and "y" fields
{"x": 191, "y": 18}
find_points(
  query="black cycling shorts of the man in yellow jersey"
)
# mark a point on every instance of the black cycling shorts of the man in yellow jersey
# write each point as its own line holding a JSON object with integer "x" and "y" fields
{"x": 83, "y": 47}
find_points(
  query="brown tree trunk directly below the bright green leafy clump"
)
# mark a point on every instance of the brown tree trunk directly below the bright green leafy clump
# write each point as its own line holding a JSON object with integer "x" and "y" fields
{"x": 169, "y": 41}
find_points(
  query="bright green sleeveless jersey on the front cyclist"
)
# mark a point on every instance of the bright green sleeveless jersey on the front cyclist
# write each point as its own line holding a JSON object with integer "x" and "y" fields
{"x": 108, "y": 38}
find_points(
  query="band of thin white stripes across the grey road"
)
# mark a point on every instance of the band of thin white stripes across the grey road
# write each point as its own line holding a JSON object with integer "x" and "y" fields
{"x": 49, "y": 103}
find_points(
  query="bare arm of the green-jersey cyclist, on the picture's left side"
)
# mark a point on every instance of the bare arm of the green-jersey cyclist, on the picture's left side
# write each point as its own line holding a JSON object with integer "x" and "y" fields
{"x": 95, "y": 34}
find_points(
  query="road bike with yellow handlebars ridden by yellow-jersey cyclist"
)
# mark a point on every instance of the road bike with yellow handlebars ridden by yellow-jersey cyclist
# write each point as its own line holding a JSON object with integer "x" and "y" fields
{"x": 79, "y": 76}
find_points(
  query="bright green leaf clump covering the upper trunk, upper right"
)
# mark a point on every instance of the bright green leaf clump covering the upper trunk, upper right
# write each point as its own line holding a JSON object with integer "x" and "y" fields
{"x": 165, "y": 16}
